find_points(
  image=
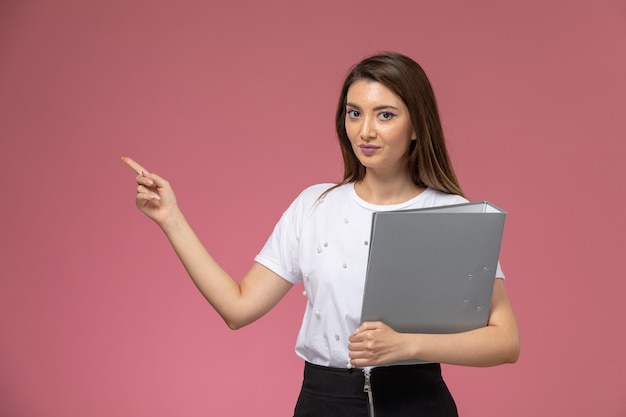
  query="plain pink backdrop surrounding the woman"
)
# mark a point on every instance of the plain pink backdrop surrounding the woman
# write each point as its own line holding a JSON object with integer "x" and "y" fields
{"x": 233, "y": 102}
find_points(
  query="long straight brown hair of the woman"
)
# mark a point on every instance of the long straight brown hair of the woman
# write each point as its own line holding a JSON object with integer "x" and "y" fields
{"x": 428, "y": 161}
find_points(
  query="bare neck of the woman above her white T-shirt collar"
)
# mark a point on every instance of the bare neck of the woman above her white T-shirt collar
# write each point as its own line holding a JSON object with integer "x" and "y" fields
{"x": 387, "y": 190}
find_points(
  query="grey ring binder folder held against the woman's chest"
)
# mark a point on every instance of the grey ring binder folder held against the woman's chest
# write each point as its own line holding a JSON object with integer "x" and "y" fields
{"x": 432, "y": 270}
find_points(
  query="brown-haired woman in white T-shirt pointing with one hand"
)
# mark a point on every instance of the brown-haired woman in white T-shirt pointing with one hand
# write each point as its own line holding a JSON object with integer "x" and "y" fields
{"x": 394, "y": 158}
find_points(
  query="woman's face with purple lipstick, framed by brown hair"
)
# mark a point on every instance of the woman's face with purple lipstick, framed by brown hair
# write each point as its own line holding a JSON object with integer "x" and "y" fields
{"x": 378, "y": 126}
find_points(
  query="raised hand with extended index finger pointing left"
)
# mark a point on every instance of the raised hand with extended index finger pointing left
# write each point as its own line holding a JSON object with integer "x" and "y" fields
{"x": 155, "y": 197}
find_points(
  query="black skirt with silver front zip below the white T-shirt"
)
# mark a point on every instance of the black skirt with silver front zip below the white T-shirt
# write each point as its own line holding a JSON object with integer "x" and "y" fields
{"x": 395, "y": 391}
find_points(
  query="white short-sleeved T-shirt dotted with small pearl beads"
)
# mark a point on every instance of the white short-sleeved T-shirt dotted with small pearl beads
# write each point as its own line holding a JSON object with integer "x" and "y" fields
{"x": 324, "y": 244}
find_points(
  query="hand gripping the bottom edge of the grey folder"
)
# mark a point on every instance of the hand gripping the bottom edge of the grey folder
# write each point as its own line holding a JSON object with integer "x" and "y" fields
{"x": 375, "y": 343}
